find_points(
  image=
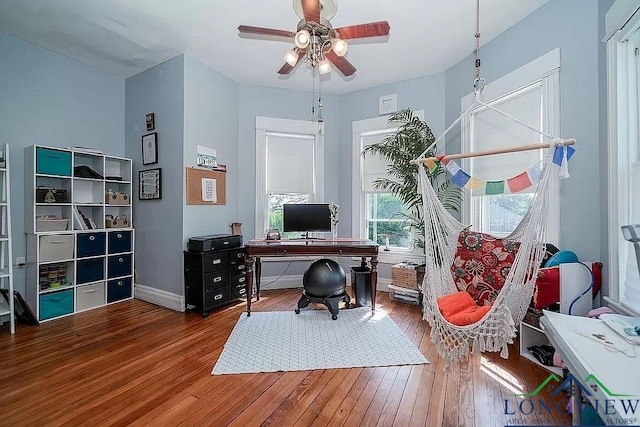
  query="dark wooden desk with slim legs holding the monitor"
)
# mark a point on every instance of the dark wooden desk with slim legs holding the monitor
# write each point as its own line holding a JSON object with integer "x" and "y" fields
{"x": 260, "y": 248}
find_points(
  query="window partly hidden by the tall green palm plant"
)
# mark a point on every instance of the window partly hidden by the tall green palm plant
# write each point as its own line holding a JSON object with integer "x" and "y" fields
{"x": 377, "y": 215}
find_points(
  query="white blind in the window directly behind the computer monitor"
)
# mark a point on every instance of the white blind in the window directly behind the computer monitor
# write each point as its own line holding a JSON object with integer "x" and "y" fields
{"x": 290, "y": 165}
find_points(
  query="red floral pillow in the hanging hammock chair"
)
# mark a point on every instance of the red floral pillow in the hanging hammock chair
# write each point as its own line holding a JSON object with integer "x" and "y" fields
{"x": 481, "y": 265}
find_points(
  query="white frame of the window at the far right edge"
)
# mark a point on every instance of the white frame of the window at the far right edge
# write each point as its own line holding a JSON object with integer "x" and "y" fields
{"x": 622, "y": 20}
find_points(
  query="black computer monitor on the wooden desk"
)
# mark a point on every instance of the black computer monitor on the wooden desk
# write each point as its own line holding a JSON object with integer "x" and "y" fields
{"x": 306, "y": 218}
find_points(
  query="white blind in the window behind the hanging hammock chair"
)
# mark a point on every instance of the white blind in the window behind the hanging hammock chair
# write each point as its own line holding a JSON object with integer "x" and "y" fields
{"x": 491, "y": 130}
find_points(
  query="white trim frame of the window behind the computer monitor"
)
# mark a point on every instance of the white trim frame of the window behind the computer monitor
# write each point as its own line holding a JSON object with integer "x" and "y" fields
{"x": 266, "y": 126}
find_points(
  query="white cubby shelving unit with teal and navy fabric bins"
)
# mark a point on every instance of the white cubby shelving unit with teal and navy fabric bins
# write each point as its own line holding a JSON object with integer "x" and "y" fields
{"x": 76, "y": 259}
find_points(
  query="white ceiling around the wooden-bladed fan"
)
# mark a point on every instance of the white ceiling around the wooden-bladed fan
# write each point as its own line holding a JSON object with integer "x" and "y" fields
{"x": 125, "y": 37}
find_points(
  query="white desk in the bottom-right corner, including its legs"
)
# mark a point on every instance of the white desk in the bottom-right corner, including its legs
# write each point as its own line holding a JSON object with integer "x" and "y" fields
{"x": 590, "y": 363}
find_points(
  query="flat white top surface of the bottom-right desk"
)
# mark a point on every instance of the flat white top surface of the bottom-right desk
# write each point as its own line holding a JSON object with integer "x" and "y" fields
{"x": 619, "y": 373}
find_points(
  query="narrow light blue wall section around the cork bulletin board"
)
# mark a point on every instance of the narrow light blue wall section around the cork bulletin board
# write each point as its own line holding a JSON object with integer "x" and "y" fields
{"x": 211, "y": 120}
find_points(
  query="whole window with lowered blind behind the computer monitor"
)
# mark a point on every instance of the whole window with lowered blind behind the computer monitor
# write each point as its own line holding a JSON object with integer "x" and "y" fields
{"x": 289, "y": 168}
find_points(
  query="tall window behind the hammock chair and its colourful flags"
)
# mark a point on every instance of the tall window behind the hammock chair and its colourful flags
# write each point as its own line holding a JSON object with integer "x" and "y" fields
{"x": 529, "y": 94}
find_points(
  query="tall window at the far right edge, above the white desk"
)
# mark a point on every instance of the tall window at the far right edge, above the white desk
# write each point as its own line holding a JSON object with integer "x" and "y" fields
{"x": 623, "y": 53}
